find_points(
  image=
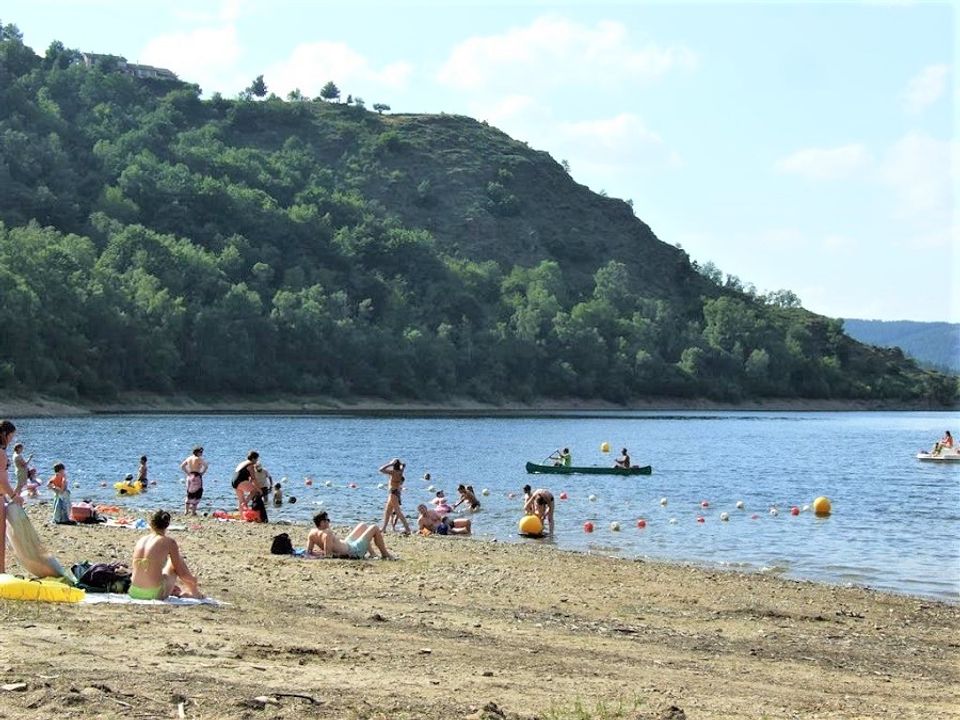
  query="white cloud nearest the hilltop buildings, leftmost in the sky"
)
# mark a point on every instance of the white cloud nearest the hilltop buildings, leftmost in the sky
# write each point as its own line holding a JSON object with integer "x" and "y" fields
{"x": 202, "y": 56}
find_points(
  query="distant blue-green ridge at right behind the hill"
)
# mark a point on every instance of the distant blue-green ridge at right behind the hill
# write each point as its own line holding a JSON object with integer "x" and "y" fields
{"x": 933, "y": 344}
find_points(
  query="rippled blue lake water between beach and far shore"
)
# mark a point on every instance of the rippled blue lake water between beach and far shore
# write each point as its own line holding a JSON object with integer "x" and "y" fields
{"x": 895, "y": 522}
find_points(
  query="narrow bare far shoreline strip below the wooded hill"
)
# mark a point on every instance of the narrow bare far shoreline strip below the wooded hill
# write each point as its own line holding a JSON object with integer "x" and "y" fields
{"x": 139, "y": 404}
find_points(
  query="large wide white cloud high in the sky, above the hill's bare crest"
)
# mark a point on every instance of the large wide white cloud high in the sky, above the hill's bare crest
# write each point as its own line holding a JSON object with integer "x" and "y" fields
{"x": 554, "y": 51}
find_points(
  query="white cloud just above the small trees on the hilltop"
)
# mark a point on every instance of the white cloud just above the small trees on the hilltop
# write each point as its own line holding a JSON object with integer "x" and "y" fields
{"x": 311, "y": 65}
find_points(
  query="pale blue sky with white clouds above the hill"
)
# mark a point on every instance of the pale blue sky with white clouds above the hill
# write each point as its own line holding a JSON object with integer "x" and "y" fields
{"x": 802, "y": 146}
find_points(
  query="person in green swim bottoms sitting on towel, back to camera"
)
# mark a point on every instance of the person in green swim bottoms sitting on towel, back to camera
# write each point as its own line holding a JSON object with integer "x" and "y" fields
{"x": 157, "y": 565}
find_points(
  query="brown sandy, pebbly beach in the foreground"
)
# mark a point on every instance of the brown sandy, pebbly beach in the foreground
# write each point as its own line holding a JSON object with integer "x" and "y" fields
{"x": 464, "y": 628}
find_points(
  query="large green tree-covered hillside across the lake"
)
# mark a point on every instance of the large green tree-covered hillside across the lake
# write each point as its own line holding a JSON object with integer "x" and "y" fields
{"x": 154, "y": 241}
